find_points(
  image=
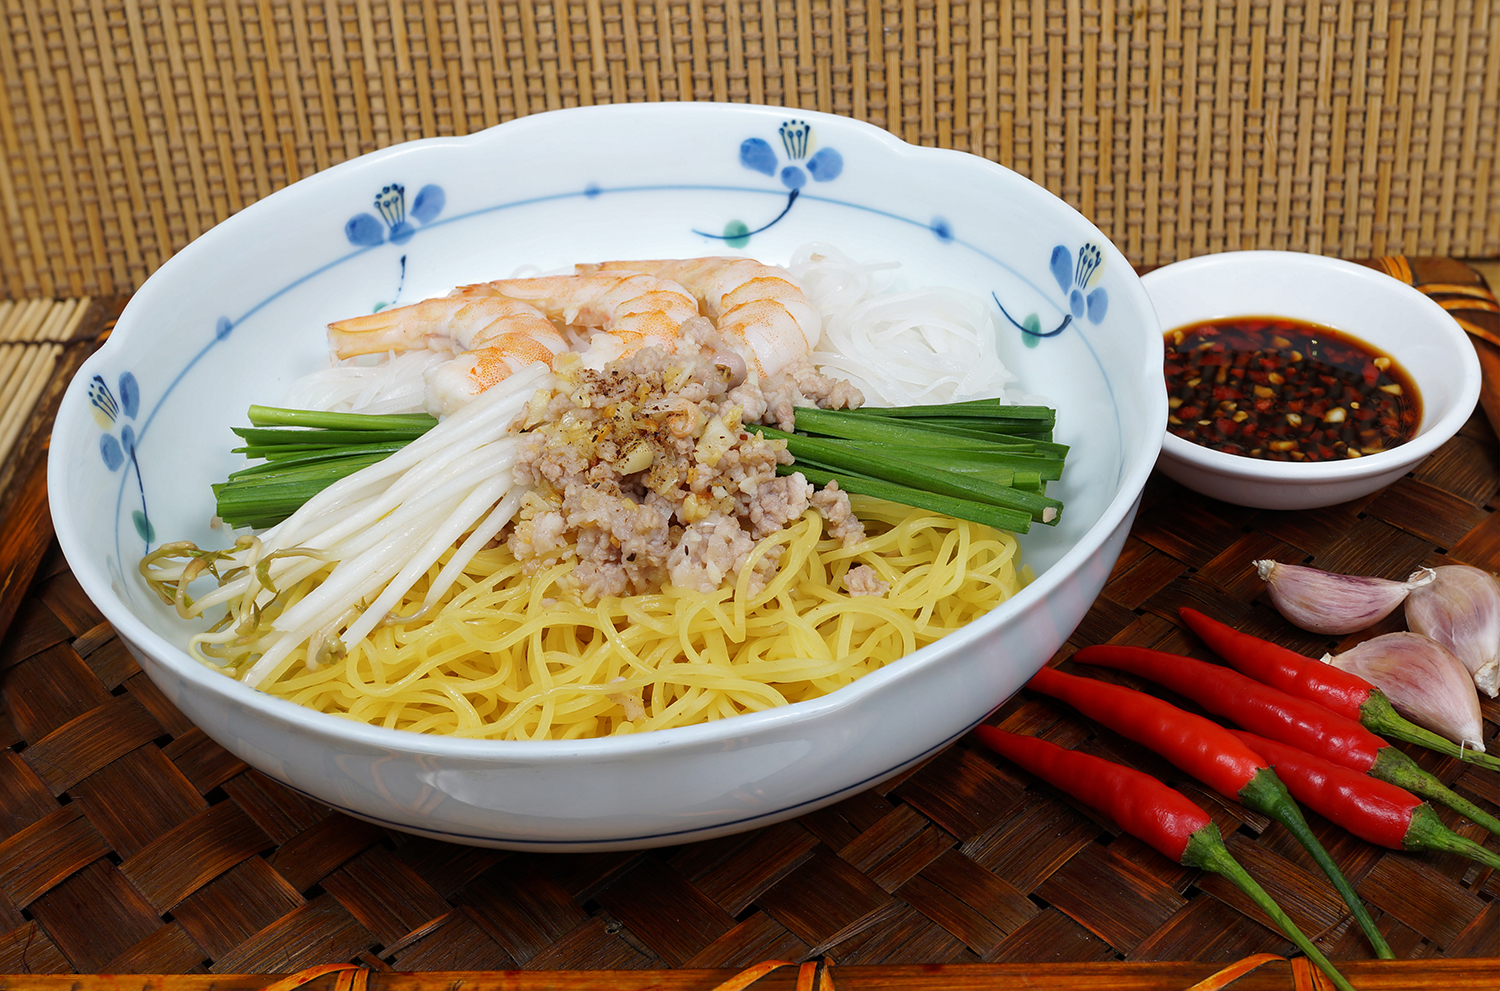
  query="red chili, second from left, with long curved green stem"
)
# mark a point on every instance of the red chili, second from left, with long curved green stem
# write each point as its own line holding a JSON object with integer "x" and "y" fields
{"x": 1210, "y": 753}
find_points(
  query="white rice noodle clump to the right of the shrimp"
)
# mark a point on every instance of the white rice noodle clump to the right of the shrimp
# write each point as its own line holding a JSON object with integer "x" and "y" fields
{"x": 932, "y": 346}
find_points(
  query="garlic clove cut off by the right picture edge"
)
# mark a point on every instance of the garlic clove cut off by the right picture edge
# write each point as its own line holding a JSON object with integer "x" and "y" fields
{"x": 1462, "y": 611}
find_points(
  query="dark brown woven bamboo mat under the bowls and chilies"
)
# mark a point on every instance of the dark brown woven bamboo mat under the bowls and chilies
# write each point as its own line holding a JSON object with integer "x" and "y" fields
{"x": 131, "y": 843}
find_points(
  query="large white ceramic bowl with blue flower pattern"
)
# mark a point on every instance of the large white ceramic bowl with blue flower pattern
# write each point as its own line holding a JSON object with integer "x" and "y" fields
{"x": 241, "y": 313}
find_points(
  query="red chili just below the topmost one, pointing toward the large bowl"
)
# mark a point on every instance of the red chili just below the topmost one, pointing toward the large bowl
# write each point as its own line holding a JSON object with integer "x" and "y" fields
{"x": 1285, "y": 719}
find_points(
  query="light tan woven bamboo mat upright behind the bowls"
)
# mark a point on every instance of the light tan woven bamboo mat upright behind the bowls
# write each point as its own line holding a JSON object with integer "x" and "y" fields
{"x": 1354, "y": 128}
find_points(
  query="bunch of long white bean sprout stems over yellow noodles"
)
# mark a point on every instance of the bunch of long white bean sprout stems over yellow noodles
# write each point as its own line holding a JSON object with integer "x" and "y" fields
{"x": 389, "y": 524}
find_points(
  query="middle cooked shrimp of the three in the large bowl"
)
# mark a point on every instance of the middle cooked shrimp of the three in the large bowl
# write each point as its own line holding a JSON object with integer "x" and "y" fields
{"x": 634, "y": 310}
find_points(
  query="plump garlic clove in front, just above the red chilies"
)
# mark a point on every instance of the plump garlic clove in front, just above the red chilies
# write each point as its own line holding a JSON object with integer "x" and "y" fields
{"x": 1424, "y": 681}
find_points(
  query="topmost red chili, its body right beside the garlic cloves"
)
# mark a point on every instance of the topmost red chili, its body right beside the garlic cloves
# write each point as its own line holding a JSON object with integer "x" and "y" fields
{"x": 1339, "y": 690}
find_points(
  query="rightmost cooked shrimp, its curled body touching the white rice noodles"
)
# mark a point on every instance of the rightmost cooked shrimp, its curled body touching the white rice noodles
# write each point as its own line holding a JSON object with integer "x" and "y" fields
{"x": 760, "y": 305}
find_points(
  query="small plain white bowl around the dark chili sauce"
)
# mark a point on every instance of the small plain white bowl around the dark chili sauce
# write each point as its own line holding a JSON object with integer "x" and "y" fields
{"x": 1361, "y": 302}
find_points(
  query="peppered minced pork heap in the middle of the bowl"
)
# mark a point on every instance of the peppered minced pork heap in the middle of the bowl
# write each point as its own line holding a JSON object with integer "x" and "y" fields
{"x": 652, "y": 473}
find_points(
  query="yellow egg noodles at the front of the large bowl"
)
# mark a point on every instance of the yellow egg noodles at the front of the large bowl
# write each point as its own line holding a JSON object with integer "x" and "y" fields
{"x": 509, "y": 657}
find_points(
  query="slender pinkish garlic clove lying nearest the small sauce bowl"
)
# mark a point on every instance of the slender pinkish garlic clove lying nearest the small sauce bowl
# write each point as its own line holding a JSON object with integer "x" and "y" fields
{"x": 1322, "y": 602}
